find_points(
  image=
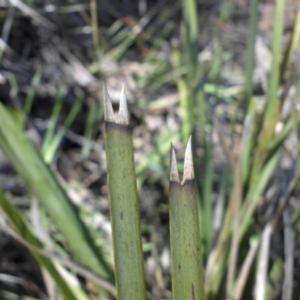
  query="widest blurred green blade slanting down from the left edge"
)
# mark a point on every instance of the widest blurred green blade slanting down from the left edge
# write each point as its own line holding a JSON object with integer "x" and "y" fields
{"x": 45, "y": 187}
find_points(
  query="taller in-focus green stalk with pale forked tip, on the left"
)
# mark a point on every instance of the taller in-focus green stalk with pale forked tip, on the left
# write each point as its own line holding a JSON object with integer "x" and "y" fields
{"x": 123, "y": 196}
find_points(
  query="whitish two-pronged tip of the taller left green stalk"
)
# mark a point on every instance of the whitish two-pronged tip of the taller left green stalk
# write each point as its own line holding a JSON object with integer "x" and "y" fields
{"x": 123, "y": 116}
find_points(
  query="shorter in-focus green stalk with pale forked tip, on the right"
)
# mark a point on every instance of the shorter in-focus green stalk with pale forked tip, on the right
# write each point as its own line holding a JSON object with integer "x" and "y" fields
{"x": 187, "y": 270}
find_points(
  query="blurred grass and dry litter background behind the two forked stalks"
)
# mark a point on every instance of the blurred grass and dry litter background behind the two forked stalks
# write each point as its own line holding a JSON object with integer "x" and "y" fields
{"x": 225, "y": 71}
